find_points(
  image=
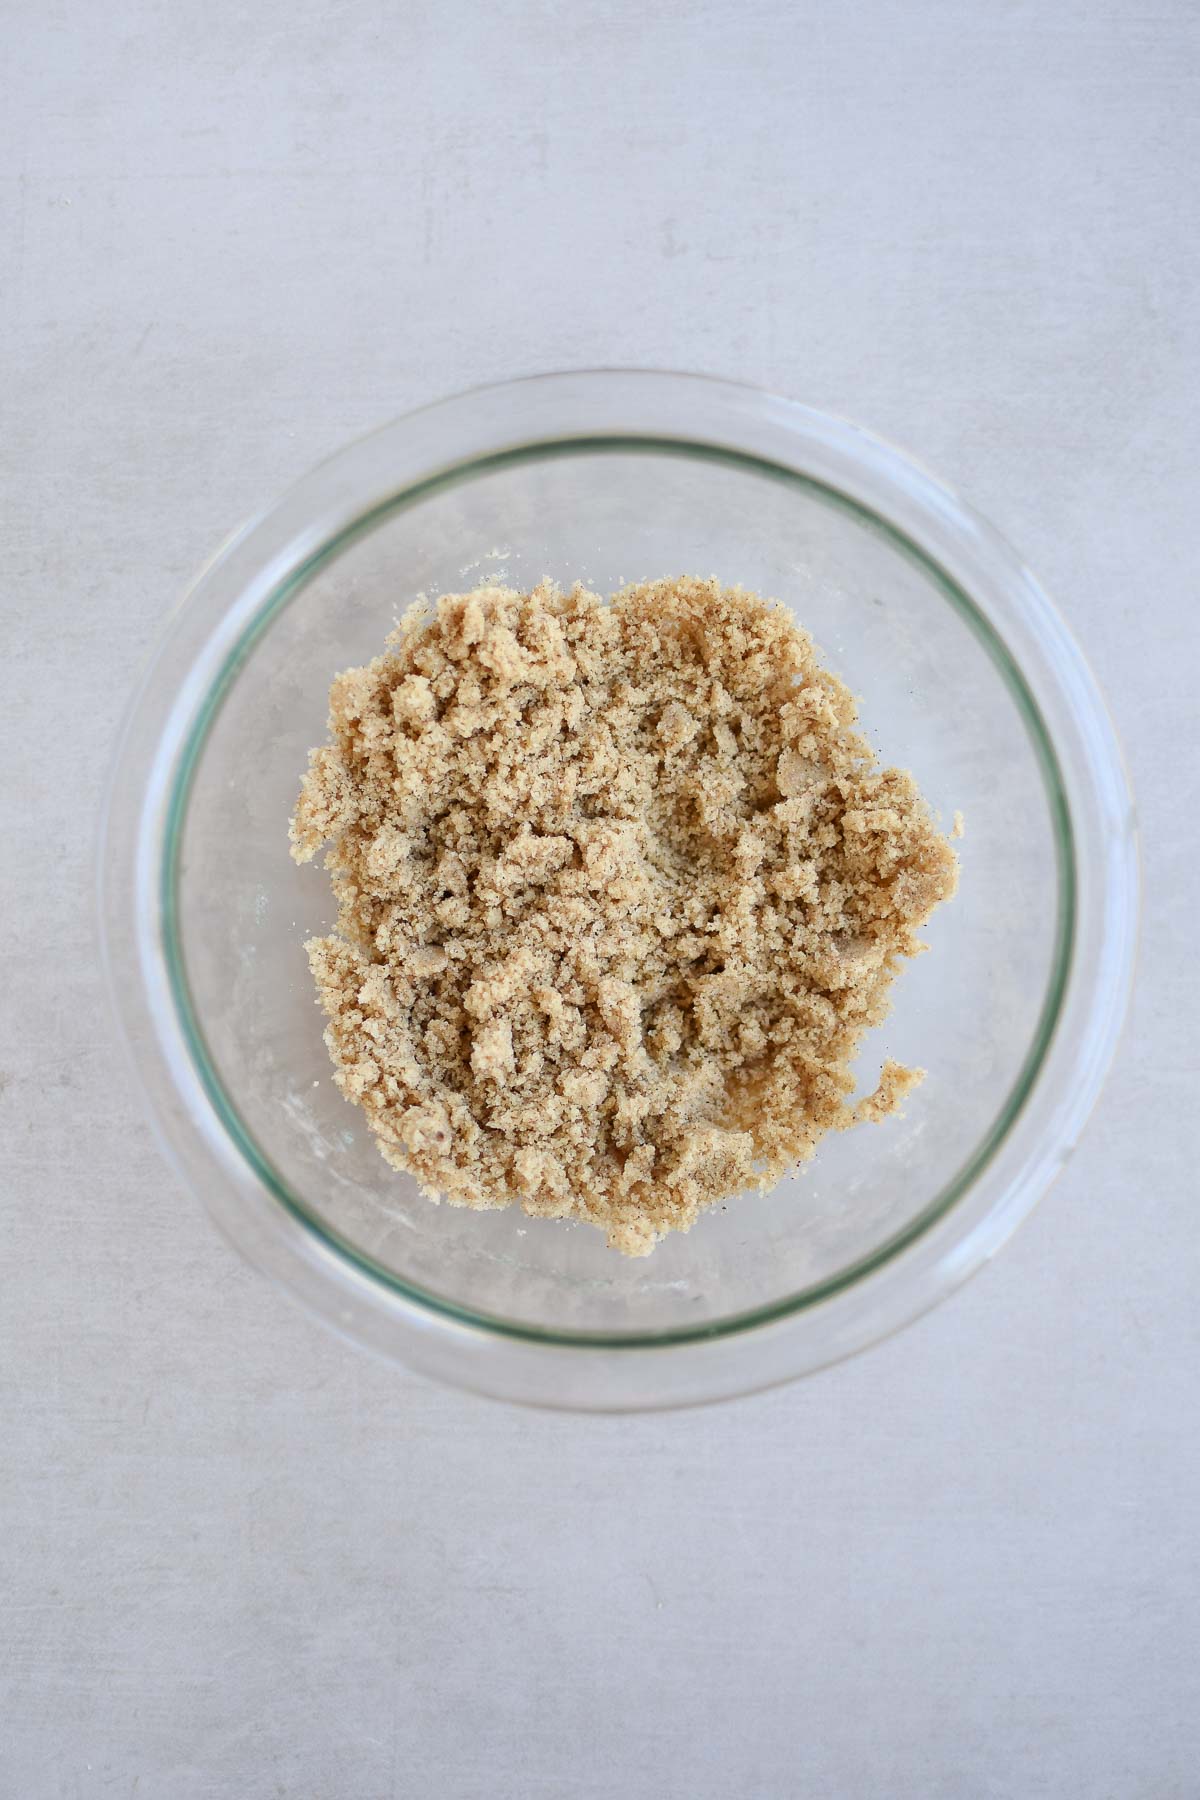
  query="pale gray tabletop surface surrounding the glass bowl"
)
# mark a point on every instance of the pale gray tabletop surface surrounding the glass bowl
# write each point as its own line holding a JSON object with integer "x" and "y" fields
{"x": 244, "y": 1560}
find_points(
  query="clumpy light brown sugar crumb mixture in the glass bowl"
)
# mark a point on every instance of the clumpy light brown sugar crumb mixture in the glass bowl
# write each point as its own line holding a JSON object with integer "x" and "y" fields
{"x": 620, "y": 892}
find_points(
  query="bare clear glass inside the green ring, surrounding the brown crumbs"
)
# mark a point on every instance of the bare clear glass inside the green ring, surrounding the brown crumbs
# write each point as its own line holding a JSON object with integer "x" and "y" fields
{"x": 940, "y": 696}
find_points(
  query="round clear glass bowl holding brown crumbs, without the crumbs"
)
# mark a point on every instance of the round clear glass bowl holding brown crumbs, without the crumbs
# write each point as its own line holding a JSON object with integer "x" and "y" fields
{"x": 967, "y": 676}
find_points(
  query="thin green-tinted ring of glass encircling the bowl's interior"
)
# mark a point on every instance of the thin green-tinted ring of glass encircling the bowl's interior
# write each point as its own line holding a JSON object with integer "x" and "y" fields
{"x": 438, "y": 483}
